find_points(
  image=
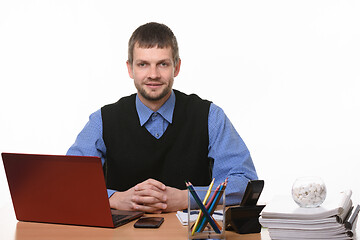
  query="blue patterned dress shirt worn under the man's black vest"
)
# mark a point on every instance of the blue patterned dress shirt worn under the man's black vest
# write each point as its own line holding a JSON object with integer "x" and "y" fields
{"x": 232, "y": 159}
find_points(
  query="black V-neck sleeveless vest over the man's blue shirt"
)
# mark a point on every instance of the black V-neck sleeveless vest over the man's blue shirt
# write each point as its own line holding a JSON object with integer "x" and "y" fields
{"x": 134, "y": 155}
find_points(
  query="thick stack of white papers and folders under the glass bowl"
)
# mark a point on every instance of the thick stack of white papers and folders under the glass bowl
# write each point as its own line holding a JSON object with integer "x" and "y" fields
{"x": 334, "y": 219}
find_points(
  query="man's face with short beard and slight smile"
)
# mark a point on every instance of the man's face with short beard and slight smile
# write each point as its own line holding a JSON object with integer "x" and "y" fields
{"x": 153, "y": 72}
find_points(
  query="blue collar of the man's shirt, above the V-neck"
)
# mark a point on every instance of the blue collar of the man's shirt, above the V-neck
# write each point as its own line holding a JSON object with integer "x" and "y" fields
{"x": 166, "y": 110}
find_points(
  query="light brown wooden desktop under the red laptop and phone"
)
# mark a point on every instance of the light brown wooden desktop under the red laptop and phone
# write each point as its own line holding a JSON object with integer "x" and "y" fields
{"x": 11, "y": 229}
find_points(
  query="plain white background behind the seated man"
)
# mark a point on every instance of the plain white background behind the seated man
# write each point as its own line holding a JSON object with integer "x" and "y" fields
{"x": 285, "y": 72}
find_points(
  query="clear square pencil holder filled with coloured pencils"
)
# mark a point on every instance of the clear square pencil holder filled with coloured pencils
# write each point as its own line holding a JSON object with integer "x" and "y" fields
{"x": 199, "y": 224}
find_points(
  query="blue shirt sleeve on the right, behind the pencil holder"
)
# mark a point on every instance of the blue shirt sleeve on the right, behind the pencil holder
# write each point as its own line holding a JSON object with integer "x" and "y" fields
{"x": 232, "y": 158}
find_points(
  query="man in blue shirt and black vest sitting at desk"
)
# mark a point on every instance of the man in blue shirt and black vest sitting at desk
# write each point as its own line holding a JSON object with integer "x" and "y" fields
{"x": 152, "y": 141}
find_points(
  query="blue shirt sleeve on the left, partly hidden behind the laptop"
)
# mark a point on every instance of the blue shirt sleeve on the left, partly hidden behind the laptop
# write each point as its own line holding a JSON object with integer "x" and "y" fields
{"x": 89, "y": 142}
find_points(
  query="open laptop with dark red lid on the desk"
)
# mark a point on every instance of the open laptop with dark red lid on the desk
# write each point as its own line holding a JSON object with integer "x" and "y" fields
{"x": 61, "y": 189}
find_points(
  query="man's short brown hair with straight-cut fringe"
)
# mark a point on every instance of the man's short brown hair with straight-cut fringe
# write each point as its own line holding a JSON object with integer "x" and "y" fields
{"x": 152, "y": 35}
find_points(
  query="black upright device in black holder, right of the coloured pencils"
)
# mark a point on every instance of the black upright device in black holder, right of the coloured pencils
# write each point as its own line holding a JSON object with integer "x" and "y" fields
{"x": 245, "y": 217}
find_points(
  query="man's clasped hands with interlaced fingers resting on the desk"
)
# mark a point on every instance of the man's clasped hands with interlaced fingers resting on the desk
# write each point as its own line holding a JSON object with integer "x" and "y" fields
{"x": 150, "y": 196}
